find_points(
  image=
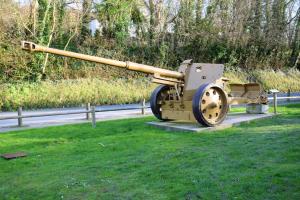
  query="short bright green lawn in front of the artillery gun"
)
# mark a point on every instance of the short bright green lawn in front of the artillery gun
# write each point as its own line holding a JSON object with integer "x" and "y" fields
{"x": 127, "y": 159}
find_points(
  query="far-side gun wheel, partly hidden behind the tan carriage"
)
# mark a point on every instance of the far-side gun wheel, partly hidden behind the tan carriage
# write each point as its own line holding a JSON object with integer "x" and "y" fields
{"x": 158, "y": 96}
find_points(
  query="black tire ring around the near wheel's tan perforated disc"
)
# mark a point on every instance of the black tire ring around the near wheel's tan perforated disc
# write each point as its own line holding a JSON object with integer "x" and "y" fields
{"x": 197, "y": 109}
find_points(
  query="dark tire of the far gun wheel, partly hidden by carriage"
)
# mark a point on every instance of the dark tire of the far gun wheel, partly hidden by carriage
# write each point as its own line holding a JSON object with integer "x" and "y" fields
{"x": 153, "y": 101}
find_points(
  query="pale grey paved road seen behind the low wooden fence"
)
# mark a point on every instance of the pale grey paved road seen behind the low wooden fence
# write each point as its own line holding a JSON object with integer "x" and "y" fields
{"x": 7, "y": 125}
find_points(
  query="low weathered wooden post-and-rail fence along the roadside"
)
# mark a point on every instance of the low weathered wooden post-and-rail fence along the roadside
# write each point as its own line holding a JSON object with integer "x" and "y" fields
{"x": 91, "y": 111}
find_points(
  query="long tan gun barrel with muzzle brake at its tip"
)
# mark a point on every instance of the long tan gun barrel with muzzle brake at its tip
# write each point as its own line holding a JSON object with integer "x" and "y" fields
{"x": 32, "y": 47}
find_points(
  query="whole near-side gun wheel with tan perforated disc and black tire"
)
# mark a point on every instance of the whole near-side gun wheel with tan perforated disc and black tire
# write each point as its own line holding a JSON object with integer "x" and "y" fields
{"x": 210, "y": 105}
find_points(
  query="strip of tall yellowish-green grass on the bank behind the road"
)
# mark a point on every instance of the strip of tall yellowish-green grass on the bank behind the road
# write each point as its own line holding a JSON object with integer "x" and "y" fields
{"x": 66, "y": 93}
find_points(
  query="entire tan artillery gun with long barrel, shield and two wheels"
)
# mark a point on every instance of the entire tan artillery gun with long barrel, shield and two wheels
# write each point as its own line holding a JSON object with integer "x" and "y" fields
{"x": 196, "y": 92}
